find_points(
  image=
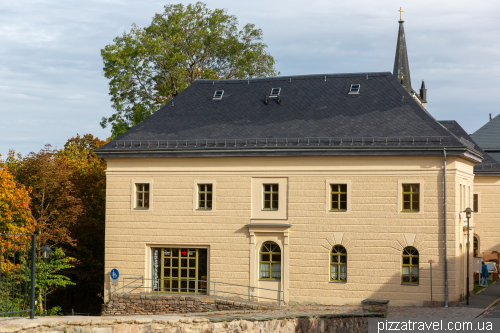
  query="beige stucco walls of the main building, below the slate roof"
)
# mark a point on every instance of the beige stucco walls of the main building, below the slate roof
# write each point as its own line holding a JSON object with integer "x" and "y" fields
{"x": 374, "y": 230}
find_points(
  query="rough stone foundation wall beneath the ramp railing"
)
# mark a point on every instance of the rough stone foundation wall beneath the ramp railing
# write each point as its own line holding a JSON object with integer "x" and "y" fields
{"x": 153, "y": 304}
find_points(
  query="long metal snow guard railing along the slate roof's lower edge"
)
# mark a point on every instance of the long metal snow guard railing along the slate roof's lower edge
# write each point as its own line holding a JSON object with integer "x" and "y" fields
{"x": 281, "y": 142}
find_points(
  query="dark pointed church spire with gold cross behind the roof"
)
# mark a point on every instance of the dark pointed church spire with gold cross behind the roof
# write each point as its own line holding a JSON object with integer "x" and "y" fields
{"x": 401, "y": 66}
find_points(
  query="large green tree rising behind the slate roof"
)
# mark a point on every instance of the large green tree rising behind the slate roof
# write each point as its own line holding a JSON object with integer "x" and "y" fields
{"x": 149, "y": 66}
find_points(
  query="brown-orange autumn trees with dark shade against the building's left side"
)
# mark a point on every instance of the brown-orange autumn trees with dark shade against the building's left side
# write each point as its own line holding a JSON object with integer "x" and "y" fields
{"x": 67, "y": 201}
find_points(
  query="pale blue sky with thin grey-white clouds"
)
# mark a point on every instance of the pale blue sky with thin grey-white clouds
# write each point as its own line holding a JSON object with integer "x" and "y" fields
{"x": 52, "y": 85}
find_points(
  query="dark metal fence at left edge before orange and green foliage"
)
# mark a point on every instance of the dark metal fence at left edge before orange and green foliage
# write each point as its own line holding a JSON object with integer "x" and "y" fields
{"x": 17, "y": 274}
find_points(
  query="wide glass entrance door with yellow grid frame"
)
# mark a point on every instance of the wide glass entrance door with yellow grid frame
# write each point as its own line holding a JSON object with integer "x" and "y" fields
{"x": 180, "y": 270}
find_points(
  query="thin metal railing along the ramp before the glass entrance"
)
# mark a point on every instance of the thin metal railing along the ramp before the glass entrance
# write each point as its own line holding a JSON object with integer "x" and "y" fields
{"x": 199, "y": 287}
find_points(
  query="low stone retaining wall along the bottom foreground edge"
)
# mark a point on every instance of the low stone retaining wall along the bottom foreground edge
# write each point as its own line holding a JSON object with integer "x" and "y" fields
{"x": 339, "y": 323}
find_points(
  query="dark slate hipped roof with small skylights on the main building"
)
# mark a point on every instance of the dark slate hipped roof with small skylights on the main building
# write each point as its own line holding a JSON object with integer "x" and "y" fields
{"x": 316, "y": 113}
